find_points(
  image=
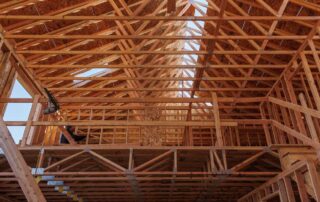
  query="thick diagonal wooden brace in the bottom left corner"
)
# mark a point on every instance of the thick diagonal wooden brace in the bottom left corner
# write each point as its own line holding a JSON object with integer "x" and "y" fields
{"x": 19, "y": 167}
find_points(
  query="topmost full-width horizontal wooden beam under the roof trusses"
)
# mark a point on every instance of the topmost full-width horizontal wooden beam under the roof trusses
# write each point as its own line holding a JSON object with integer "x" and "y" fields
{"x": 160, "y": 18}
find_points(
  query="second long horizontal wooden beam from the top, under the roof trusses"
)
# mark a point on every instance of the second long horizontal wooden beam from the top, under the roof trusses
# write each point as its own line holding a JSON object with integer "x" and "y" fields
{"x": 162, "y": 37}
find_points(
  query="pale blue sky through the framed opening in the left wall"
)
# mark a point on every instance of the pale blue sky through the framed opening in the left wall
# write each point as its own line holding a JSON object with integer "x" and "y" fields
{"x": 17, "y": 111}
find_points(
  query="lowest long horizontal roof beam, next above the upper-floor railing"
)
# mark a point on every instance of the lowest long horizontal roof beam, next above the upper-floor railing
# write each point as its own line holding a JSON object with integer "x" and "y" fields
{"x": 138, "y": 100}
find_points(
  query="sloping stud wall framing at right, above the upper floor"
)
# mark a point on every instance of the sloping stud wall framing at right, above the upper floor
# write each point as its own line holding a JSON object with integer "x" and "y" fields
{"x": 293, "y": 105}
